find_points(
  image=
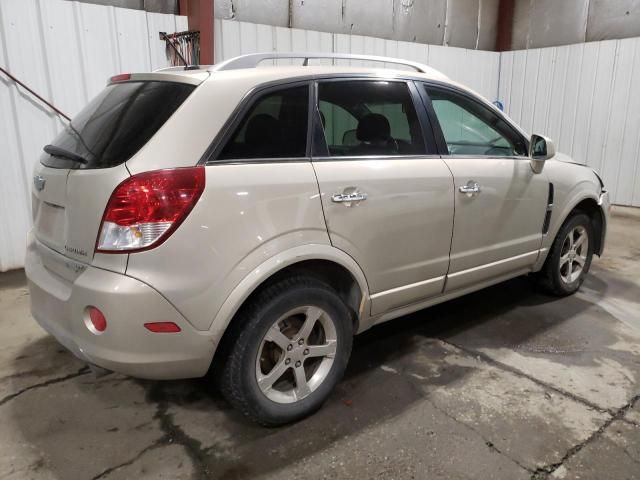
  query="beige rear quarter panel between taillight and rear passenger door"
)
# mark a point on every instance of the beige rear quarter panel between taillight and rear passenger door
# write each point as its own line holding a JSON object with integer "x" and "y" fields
{"x": 247, "y": 214}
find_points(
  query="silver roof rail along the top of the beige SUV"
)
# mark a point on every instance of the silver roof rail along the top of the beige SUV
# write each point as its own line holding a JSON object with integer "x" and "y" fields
{"x": 252, "y": 60}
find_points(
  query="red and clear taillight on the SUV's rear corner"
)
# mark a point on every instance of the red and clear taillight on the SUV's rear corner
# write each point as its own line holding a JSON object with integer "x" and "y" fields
{"x": 145, "y": 209}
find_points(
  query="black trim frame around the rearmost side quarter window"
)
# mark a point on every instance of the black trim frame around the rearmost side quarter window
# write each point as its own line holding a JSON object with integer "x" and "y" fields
{"x": 210, "y": 157}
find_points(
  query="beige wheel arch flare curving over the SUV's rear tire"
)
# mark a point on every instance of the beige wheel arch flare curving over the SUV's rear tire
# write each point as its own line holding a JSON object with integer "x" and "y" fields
{"x": 264, "y": 271}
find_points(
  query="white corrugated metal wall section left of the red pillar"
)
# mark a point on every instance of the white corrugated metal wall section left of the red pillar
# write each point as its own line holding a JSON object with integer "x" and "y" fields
{"x": 65, "y": 51}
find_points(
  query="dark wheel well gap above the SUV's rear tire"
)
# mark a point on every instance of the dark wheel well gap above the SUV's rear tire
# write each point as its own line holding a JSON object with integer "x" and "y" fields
{"x": 331, "y": 273}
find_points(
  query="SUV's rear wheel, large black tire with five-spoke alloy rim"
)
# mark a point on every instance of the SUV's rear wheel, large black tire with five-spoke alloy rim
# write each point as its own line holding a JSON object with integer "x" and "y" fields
{"x": 290, "y": 348}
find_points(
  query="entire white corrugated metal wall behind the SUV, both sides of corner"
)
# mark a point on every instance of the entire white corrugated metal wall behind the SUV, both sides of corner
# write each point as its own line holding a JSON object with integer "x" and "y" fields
{"x": 581, "y": 95}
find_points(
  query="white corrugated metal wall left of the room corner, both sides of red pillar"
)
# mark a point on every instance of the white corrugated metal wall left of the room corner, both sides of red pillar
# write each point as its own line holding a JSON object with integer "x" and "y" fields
{"x": 66, "y": 50}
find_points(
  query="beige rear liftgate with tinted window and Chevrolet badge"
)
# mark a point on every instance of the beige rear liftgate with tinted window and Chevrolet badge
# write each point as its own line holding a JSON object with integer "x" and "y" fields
{"x": 81, "y": 167}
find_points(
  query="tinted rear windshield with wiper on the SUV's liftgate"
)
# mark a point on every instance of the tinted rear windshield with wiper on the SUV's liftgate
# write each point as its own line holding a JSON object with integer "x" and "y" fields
{"x": 117, "y": 123}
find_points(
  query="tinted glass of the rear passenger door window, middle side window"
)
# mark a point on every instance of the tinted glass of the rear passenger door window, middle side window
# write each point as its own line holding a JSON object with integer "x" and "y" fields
{"x": 361, "y": 118}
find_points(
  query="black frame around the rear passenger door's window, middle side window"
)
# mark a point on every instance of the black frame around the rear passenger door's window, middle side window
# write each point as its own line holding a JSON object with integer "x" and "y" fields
{"x": 426, "y": 129}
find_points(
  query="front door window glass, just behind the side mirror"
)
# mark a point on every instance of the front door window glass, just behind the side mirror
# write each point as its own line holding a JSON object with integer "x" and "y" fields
{"x": 469, "y": 128}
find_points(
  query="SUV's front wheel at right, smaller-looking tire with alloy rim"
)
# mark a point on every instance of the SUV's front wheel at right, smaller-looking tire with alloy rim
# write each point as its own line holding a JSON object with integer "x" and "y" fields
{"x": 570, "y": 257}
